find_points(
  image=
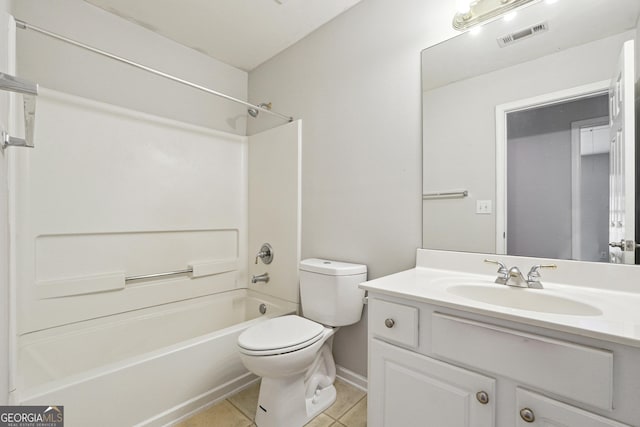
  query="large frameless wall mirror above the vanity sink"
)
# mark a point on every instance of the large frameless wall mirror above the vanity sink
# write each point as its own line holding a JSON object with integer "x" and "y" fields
{"x": 483, "y": 92}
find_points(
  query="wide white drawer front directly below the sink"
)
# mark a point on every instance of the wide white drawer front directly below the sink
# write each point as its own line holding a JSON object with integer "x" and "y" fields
{"x": 580, "y": 373}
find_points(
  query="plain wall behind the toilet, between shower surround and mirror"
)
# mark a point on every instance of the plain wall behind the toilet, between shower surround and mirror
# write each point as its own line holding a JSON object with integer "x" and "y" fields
{"x": 356, "y": 84}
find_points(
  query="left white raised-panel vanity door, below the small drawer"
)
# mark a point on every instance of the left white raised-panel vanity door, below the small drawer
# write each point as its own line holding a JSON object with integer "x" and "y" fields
{"x": 408, "y": 389}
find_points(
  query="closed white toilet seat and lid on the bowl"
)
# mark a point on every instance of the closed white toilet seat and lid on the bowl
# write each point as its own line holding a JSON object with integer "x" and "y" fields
{"x": 280, "y": 335}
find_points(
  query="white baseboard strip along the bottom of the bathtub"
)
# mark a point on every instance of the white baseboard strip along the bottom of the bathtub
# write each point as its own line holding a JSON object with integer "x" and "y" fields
{"x": 187, "y": 409}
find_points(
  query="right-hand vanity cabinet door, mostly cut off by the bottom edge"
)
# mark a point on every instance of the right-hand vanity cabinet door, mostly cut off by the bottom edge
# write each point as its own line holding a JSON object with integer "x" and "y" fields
{"x": 535, "y": 410}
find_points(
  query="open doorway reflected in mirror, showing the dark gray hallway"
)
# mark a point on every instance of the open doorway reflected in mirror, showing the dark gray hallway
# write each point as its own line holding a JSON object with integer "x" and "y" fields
{"x": 557, "y": 181}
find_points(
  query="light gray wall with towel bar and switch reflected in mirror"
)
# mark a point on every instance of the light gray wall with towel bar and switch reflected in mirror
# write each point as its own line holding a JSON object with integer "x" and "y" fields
{"x": 459, "y": 150}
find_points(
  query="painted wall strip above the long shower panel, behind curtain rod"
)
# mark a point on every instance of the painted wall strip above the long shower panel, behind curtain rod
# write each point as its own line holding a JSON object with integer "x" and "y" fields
{"x": 69, "y": 69}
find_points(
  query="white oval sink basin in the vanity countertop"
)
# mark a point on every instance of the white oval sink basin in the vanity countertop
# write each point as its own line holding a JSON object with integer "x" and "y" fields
{"x": 523, "y": 299}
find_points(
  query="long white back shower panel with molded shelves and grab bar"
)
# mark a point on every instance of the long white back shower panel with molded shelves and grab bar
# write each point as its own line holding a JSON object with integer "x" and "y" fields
{"x": 110, "y": 193}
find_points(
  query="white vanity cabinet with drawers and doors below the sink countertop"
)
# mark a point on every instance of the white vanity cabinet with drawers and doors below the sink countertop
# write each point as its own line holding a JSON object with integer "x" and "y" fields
{"x": 442, "y": 367}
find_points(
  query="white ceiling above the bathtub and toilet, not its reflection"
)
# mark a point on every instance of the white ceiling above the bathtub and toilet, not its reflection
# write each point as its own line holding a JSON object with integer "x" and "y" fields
{"x": 242, "y": 33}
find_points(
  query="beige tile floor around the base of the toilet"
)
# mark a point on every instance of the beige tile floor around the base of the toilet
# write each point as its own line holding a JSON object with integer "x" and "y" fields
{"x": 349, "y": 410}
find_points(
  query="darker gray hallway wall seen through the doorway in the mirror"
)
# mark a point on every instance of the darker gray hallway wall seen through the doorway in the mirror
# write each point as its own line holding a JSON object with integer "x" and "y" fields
{"x": 539, "y": 177}
